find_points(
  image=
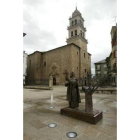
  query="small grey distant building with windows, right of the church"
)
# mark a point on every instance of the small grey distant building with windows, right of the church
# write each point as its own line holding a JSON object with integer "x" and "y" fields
{"x": 101, "y": 68}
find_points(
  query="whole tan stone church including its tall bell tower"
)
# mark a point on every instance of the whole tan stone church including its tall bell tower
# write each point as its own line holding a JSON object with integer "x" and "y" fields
{"x": 72, "y": 57}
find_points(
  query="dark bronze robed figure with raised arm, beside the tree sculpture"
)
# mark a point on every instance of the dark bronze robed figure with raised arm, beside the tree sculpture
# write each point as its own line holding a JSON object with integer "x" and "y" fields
{"x": 73, "y": 95}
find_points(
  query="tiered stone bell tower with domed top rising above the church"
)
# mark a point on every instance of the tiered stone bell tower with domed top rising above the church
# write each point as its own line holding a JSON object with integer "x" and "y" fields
{"x": 77, "y": 31}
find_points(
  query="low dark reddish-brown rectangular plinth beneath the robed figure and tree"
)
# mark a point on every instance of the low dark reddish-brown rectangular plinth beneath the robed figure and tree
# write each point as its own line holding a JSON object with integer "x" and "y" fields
{"x": 80, "y": 114}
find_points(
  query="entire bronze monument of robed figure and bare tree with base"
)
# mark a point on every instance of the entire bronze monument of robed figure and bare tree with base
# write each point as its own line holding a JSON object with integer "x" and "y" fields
{"x": 73, "y": 96}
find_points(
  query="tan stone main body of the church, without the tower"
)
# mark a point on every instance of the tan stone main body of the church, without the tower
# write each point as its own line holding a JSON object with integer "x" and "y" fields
{"x": 69, "y": 57}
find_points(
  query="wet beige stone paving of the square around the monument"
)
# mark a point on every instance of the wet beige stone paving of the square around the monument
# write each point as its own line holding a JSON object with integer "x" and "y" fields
{"x": 38, "y": 114}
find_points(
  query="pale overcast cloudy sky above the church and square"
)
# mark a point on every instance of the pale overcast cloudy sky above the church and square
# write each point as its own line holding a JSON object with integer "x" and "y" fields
{"x": 45, "y": 23}
